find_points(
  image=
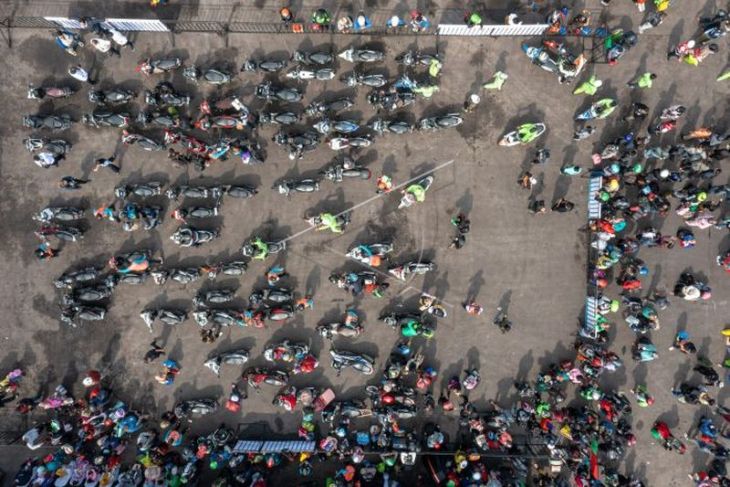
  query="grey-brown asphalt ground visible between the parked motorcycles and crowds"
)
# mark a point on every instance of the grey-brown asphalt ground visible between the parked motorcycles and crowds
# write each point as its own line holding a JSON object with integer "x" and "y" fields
{"x": 534, "y": 266}
